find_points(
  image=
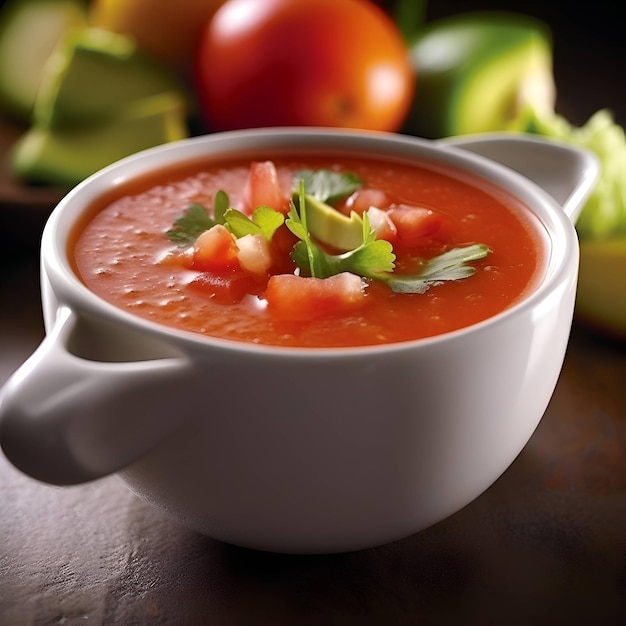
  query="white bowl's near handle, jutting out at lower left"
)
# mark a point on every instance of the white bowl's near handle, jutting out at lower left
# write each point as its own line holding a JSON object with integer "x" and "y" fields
{"x": 66, "y": 419}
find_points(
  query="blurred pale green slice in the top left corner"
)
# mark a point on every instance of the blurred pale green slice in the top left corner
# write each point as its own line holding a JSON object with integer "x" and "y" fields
{"x": 30, "y": 30}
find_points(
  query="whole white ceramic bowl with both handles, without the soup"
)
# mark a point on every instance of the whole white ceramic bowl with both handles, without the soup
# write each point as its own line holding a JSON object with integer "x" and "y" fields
{"x": 339, "y": 461}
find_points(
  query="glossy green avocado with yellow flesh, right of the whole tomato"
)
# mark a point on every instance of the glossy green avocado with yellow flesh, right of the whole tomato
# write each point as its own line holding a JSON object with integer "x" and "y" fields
{"x": 476, "y": 71}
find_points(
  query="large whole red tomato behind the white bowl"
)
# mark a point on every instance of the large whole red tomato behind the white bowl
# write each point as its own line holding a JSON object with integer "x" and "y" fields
{"x": 339, "y": 63}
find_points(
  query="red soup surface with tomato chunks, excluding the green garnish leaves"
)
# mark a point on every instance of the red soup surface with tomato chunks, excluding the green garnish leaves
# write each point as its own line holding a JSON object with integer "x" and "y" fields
{"x": 125, "y": 253}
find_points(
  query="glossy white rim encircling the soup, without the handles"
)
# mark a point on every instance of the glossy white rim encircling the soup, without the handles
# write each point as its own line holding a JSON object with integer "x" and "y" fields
{"x": 71, "y": 291}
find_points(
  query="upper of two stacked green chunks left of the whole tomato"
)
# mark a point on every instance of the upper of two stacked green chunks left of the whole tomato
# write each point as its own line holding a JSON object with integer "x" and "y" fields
{"x": 94, "y": 73}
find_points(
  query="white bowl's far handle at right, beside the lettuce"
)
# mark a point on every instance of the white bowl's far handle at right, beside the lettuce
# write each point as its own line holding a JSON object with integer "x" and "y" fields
{"x": 568, "y": 173}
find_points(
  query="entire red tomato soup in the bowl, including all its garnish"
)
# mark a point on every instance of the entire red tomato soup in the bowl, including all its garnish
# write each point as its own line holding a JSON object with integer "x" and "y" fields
{"x": 310, "y": 250}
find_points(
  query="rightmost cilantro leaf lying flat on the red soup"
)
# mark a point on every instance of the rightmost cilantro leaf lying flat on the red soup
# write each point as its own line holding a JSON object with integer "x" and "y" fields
{"x": 450, "y": 265}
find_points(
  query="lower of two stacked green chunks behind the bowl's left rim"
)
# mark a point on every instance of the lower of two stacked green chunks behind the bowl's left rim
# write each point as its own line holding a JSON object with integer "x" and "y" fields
{"x": 65, "y": 156}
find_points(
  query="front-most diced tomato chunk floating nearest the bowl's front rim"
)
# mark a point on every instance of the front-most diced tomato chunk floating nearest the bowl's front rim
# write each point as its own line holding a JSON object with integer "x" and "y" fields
{"x": 297, "y": 298}
